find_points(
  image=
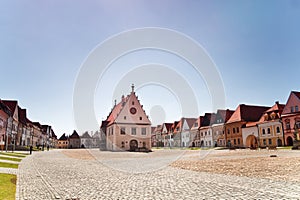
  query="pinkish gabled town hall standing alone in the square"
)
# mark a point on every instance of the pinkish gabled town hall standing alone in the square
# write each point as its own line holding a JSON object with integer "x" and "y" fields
{"x": 127, "y": 127}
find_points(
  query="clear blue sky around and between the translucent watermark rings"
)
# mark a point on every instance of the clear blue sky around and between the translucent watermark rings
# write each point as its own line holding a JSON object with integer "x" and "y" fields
{"x": 254, "y": 44}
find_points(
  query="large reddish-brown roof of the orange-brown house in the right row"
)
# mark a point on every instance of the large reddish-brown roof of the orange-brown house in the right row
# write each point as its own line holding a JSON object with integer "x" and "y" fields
{"x": 248, "y": 113}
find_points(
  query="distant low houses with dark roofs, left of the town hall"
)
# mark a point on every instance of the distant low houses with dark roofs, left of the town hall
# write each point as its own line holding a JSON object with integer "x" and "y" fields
{"x": 75, "y": 141}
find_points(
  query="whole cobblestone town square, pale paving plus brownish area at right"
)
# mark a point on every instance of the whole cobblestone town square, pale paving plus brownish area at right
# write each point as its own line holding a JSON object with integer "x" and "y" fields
{"x": 162, "y": 174}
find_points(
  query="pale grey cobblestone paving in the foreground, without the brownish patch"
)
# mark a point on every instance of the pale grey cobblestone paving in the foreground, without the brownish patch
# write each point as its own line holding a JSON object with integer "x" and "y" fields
{"x": 53, "y": 175}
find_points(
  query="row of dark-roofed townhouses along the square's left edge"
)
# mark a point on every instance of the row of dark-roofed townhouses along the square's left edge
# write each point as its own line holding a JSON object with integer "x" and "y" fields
{"x": 17, "y": 131}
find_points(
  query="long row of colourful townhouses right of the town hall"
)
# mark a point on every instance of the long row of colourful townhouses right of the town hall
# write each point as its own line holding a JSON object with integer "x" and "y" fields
{"x": 248, "y": 126}
